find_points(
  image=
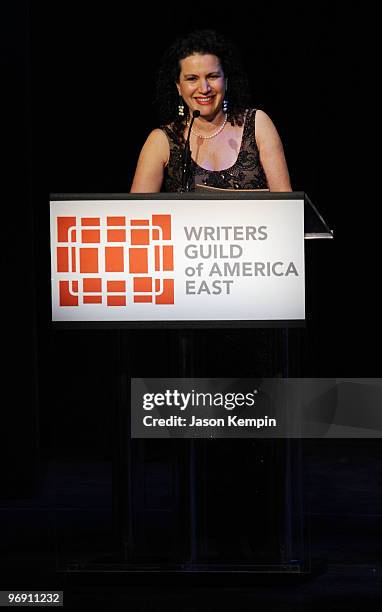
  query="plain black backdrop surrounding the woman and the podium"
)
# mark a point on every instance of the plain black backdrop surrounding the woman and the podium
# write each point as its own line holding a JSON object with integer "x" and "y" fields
{"x": 79, "y": 82}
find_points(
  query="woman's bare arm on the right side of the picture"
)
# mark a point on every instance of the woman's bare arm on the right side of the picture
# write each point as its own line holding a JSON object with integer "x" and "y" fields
{"x": 271, "y": 153}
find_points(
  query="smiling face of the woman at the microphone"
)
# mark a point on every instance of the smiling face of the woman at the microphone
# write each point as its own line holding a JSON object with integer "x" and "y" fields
{"x": 202, "y": 84}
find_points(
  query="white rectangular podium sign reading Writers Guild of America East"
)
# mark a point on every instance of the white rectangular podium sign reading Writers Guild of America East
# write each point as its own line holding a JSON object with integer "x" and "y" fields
{"x": 177, "y": 260}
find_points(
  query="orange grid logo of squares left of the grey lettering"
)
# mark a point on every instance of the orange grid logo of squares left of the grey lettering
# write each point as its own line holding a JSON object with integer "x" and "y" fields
{"x": 114, "y": 261}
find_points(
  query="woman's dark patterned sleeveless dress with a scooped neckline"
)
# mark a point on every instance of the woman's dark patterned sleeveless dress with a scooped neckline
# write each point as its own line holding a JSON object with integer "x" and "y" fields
{"x": 246, "y": 173}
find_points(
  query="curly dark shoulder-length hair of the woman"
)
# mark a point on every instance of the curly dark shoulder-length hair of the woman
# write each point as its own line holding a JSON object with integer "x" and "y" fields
{"x": 203, "y": 42}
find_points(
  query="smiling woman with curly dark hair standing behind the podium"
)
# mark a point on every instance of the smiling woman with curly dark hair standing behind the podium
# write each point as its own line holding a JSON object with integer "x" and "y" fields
{"x": 232, "y": 146}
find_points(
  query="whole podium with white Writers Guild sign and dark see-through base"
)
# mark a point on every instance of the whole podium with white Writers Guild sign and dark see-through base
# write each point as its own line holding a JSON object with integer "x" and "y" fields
{"x": 129, "y": 262}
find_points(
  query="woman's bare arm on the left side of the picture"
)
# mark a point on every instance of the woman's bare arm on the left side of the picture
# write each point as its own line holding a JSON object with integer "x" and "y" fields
{"x": 152, "y": 160}
